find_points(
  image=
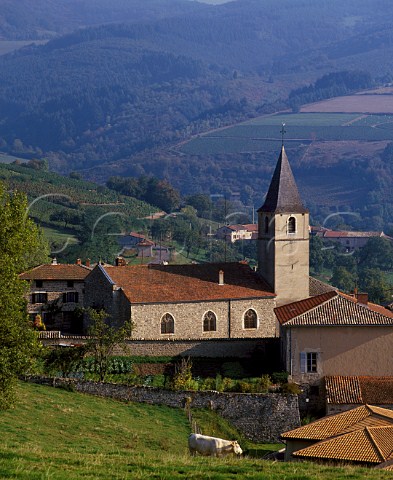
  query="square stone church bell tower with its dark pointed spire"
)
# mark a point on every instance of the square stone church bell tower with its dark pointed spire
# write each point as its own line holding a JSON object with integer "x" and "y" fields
{"x": 283, "y": 237}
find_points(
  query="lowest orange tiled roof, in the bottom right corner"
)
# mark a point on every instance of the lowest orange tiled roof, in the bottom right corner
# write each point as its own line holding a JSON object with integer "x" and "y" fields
{"x": 369, "y": 445}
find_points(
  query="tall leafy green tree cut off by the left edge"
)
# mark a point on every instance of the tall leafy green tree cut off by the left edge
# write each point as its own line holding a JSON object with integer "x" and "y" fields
{"x": 19, "y": 241}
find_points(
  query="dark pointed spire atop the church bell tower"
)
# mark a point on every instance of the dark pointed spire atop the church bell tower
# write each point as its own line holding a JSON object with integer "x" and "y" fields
{"x": 283, "y": 195}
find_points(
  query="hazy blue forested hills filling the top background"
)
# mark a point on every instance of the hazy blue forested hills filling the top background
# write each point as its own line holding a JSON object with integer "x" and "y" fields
{"x": 170, "y": 70}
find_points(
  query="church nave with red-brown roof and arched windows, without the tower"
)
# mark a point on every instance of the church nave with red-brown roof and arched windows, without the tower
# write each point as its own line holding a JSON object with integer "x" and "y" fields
{"x": 207, "y": 301}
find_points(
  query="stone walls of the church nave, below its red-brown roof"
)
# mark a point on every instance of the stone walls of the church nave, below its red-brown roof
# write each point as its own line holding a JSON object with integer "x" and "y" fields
{"x": 188, "y": 316}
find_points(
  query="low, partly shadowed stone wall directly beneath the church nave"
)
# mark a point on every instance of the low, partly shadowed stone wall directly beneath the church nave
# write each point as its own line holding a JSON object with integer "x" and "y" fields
{"x": 218, "y": 348}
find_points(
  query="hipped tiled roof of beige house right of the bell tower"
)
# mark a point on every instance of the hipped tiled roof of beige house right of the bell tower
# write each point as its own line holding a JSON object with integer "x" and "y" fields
{"x": 332, "y": 309}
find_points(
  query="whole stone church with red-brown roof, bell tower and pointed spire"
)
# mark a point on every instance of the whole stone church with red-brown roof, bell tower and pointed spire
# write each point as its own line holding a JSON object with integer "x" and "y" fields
{"x": 216, "y": 301}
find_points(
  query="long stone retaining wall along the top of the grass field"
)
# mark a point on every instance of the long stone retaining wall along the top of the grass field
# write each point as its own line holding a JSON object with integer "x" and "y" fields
{"x": 260, "y": 417}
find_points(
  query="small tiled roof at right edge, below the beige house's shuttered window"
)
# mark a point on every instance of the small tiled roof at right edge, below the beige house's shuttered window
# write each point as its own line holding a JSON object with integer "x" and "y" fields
{"x": 359, "y": 389}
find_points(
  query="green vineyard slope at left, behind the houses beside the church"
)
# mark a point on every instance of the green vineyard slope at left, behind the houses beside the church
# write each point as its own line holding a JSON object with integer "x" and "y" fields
{"x": 79, "y": 218}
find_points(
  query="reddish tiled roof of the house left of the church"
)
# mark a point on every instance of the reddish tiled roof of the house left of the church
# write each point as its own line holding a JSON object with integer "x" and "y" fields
{"x": 57, "y": 272}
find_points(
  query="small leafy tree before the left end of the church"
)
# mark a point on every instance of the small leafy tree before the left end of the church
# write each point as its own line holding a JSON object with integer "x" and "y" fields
{"x": 104, "y": 337}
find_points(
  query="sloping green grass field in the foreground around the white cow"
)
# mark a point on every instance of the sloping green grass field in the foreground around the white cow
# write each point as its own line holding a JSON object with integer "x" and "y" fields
{"x": 55, "y": 434}
